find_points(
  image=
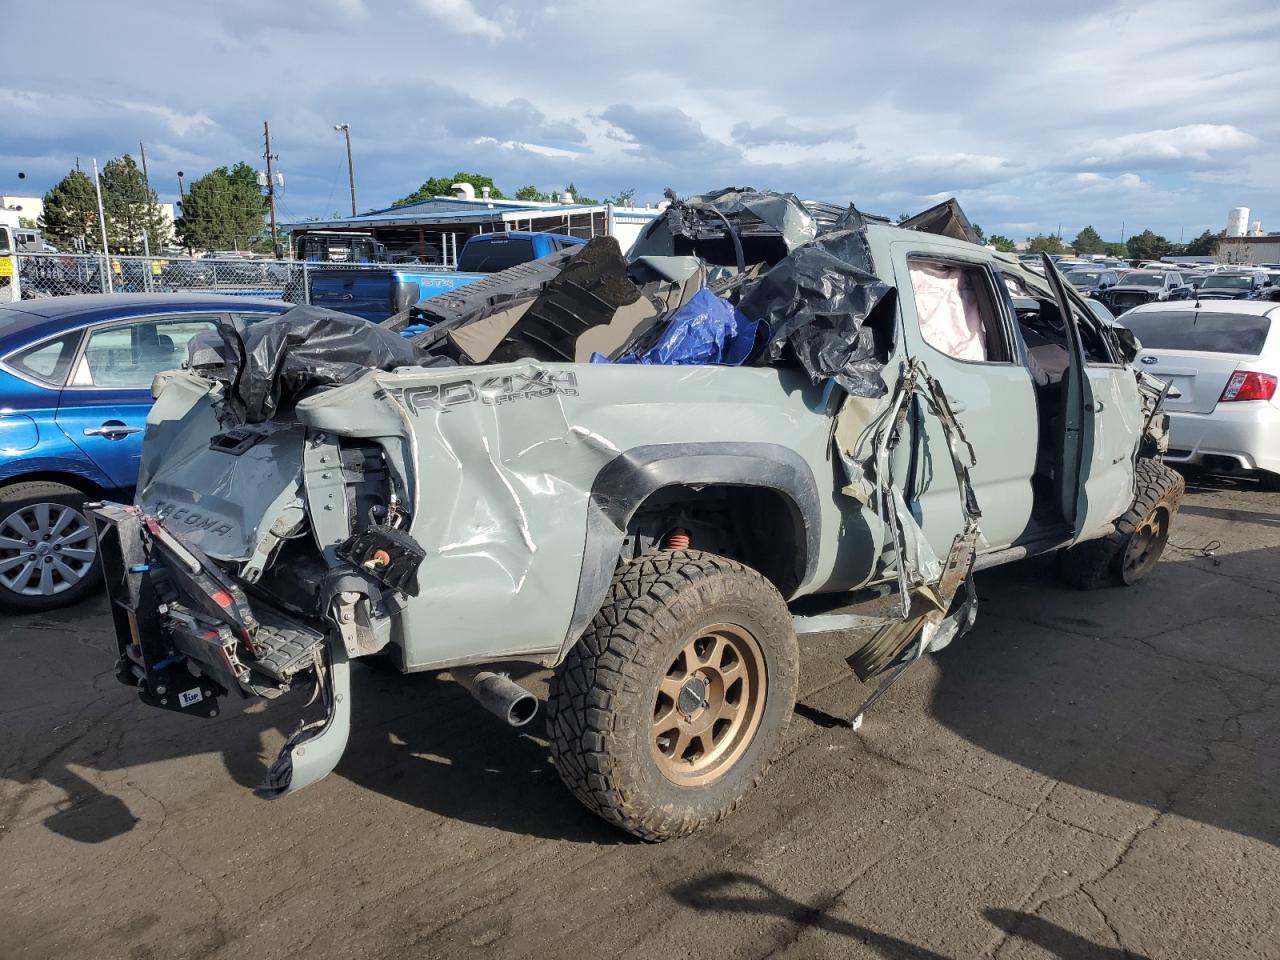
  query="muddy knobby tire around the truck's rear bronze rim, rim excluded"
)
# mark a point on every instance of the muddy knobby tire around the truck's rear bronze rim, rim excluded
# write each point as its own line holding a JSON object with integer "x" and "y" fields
{"x": 604, "y": 696}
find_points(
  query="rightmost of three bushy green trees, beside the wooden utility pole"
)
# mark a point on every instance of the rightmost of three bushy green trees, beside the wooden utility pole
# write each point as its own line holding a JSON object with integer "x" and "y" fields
{"x": 225, "y": 211}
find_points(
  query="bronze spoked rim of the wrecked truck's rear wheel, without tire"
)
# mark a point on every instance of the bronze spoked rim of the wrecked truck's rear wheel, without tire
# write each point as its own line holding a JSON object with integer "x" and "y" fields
{"x": 708, "y": 705}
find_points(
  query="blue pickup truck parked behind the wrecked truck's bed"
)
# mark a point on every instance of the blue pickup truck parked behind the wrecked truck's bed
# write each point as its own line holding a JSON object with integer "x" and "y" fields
{"x": 377, "y": 294}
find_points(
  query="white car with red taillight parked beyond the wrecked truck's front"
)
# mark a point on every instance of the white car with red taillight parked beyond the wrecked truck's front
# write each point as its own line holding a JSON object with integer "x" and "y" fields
{"x": 1223, "y": 362}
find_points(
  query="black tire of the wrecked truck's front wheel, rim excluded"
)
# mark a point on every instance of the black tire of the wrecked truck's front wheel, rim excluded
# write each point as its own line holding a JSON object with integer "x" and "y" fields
{"x": 1098, "y": 564}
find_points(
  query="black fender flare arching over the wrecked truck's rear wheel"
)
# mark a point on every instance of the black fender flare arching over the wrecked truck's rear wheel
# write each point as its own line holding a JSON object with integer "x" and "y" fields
{"x": 632, "y": 478}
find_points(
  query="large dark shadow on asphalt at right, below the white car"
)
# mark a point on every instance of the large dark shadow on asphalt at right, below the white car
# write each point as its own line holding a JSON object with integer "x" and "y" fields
{"x": 1164, "y": 694}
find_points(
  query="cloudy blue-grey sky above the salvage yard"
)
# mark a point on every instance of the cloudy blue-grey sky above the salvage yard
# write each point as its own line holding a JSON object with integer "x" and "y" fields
{"x": 1039, "y": 117}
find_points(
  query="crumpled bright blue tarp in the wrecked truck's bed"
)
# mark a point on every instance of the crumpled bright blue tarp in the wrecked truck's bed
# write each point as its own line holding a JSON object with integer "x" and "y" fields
{"x": 706, "y": 331}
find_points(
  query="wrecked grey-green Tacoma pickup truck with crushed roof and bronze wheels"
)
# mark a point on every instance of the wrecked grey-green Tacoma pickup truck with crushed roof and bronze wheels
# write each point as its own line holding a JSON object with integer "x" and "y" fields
{"x": 650, "y": 473}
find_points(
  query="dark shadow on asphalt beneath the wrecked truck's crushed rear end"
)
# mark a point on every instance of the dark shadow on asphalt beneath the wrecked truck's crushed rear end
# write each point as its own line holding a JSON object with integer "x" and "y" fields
{"x": 417, "y": 739}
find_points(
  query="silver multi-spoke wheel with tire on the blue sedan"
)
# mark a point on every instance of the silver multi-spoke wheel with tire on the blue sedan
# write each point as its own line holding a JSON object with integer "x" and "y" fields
{"x": 48, "y": 547}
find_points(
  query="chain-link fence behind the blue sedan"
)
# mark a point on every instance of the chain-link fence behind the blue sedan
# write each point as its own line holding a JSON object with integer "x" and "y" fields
{"x": 66, "y": 275}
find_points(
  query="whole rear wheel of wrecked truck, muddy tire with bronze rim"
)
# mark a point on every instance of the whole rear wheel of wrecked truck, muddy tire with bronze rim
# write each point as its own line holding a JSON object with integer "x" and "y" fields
{"x": 674, "y": 705}
